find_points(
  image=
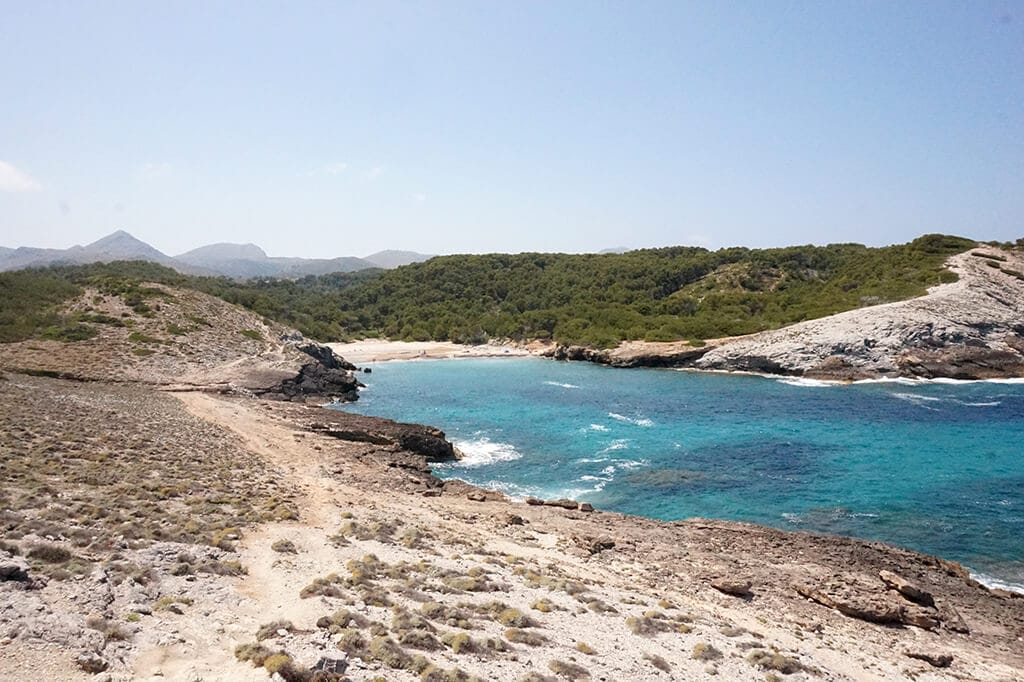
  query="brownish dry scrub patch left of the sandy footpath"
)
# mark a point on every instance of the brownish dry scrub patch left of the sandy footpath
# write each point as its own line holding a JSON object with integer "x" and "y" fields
{"x": 161, "y": 476}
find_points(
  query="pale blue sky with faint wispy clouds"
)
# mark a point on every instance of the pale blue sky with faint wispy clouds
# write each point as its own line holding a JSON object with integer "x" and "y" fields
{"x": 324, "y": 130}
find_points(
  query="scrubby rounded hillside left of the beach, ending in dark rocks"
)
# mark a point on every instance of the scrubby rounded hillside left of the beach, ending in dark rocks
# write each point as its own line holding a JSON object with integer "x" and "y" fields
{"x": 123, "y": 329}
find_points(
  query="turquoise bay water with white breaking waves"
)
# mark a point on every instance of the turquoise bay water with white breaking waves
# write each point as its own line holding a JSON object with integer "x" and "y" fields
{"x": 937, "y": 467}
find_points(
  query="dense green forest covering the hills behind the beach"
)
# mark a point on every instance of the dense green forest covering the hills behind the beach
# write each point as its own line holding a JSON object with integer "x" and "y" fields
{"x": 599, "y": 301}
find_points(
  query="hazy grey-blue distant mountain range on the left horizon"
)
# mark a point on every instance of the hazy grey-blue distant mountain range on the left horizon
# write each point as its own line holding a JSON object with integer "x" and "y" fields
{"x": 234, "y": 261}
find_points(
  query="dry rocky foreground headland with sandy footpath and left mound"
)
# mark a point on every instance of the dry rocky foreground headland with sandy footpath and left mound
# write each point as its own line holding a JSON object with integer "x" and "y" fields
{"x": 179, "y": 516}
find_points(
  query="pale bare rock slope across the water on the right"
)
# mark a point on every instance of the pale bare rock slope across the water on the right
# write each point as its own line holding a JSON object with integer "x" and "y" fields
{"x": 973, "y": 328}
